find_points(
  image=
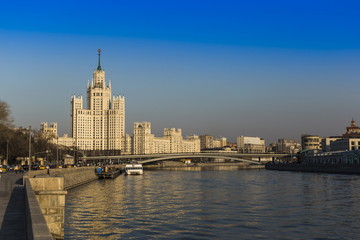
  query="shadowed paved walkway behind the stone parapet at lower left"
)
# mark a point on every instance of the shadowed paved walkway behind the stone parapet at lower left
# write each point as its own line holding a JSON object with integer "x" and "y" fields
{"x": 12, "y": 207}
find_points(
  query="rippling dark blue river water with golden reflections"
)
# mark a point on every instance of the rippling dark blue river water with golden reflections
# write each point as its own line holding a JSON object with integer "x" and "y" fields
{"x": 216, "y": 204}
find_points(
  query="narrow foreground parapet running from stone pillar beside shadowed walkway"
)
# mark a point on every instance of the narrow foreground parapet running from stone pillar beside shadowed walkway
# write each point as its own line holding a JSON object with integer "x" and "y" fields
{"x": 37, "y": 227}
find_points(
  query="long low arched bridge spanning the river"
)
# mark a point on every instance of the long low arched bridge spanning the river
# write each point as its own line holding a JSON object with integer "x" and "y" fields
{"x": 251, "y": 158}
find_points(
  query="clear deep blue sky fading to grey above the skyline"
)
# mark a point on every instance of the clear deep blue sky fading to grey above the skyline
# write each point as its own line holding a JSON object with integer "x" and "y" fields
{"x": 273, "y": 69}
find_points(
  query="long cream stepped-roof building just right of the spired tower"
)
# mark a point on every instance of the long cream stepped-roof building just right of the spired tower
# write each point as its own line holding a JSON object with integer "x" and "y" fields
{"x": 144, "y": 142}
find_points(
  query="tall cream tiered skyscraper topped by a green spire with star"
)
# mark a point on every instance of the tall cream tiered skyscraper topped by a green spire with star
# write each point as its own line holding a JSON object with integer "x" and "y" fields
{"x": 101, "y": 125}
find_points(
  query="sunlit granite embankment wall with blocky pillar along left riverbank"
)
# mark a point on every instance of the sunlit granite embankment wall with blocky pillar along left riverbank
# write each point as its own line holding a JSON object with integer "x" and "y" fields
{"x": 46, "y": 191}
